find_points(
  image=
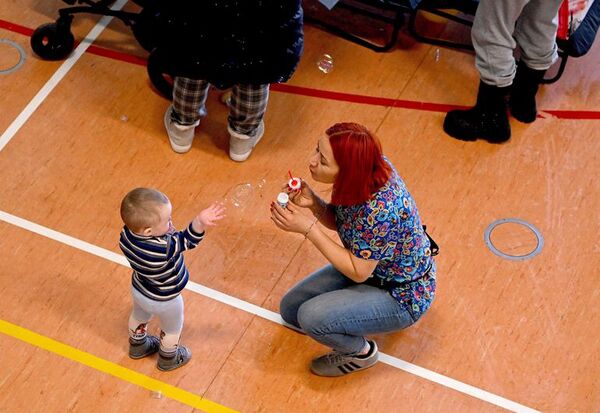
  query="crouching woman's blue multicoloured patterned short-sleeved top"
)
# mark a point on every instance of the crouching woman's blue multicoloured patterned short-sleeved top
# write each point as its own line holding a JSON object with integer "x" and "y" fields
{"x": 388, "y": 228}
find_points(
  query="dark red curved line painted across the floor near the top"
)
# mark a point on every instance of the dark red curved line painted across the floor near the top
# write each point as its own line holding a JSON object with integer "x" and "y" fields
{"x": 319, "y": 93}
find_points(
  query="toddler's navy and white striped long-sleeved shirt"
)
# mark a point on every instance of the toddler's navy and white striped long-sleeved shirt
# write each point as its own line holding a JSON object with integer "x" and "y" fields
{"x": 157, "y": 262}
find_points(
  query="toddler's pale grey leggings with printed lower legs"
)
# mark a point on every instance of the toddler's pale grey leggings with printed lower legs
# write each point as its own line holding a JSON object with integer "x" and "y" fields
{"x": 170, "y": 316}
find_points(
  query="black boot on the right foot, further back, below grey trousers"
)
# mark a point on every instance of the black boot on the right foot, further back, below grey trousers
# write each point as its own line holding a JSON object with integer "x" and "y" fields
{"x": 524, "y": 88}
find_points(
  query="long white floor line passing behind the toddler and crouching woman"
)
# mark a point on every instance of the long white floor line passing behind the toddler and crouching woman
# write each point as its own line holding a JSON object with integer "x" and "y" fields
{"x": 269, "y": 315}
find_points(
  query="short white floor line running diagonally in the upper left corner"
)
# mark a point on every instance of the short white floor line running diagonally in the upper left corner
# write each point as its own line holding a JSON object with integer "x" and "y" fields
{"x": 37, "y": 100}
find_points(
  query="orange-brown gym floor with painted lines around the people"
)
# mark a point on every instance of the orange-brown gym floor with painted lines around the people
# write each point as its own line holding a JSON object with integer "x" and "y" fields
{"x": 525, "y": 331}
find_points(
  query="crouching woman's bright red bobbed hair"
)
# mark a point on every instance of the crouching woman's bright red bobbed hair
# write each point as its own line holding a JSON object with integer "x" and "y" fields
{"x": 360, "y": 159}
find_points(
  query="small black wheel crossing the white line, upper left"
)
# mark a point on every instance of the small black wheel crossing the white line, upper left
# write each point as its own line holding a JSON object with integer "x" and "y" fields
{"x": 52, "y": 41}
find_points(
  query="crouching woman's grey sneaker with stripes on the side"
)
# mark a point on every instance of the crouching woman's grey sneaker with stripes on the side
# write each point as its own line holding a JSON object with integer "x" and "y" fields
{"x": 336, "y": 364}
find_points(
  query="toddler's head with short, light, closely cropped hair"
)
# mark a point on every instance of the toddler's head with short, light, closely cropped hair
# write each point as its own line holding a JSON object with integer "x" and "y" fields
{"x": 147, "y": 211}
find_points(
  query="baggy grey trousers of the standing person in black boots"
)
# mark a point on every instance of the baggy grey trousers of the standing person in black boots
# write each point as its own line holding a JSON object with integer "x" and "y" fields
{"x": 501, "y": 25}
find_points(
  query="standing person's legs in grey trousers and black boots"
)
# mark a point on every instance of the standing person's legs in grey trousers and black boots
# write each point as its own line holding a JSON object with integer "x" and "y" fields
{"x": 500, "y": 26}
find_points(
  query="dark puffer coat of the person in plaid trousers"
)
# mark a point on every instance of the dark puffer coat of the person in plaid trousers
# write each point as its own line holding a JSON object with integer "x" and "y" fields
{"x": 231, "y": 41}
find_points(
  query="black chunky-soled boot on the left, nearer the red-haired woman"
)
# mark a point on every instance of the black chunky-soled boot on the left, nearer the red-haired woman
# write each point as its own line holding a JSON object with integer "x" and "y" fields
{"x": 487, "y": 119}
